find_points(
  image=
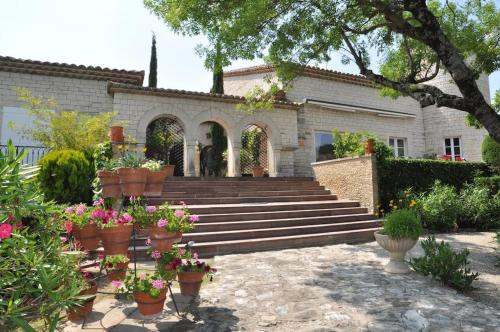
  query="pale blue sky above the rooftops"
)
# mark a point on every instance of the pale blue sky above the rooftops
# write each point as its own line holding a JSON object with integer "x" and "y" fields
{"x": 115, "y": 34}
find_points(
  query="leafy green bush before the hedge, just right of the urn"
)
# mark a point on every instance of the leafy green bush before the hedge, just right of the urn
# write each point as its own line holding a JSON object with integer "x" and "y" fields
{"x": 440, "y": 208}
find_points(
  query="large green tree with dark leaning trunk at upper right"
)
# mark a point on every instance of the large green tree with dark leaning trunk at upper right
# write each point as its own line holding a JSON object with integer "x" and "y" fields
{"x": 415, "y": 39}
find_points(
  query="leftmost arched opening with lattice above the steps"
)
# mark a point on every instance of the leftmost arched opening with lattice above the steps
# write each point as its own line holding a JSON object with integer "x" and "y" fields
{"x": 165, "y": 141}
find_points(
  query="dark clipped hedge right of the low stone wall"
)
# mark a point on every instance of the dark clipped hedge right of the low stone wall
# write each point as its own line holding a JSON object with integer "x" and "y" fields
{"x": 397, "y": 175}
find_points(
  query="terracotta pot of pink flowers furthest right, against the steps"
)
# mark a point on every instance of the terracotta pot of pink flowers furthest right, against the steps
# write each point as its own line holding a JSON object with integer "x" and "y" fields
{"x": 169, "y": 226}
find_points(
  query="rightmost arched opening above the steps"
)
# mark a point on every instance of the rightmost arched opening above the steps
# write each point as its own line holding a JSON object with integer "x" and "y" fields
{"x": 254, "y": 150}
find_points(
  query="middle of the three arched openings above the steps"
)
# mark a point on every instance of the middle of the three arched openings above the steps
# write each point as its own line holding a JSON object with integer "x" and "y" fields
{"x": 213, "y": 149}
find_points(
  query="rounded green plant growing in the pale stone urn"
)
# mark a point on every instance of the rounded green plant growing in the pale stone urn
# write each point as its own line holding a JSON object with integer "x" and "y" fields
{"x": 402, "y": 224}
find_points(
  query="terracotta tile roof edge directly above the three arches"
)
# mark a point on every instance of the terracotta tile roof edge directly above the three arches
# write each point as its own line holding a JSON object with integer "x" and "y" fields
{"x": 114, "y": 87}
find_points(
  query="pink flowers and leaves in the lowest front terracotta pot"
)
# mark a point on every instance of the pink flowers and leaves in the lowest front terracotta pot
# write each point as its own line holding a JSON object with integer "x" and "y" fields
{"x": 151, "y": 284}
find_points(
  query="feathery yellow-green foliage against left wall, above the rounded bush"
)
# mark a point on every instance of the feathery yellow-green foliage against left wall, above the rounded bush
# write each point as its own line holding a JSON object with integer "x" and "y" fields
{"x": 61, "y": 129}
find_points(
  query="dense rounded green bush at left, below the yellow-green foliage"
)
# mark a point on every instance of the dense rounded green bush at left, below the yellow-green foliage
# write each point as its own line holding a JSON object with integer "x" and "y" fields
{"x": 66, "y": 177}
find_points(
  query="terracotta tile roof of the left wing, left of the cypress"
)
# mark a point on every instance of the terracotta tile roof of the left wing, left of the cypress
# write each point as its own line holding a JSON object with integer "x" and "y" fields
{"x": 15, "y": 65}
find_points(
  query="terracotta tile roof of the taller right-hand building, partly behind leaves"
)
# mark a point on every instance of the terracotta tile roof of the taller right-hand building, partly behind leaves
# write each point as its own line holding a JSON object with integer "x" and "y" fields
{"x": 308, "y": 71}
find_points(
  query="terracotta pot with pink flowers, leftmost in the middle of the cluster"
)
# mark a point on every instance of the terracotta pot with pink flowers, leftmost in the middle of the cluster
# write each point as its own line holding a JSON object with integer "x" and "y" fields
{"x": 78, "y": 221}
